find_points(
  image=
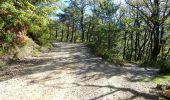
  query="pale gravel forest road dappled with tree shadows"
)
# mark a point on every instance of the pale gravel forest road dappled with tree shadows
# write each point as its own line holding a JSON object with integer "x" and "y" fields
{"x": 70, "y": 72}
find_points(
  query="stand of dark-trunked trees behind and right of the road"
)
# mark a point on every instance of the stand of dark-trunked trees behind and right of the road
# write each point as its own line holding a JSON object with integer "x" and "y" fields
{"x": 135, "y": 31}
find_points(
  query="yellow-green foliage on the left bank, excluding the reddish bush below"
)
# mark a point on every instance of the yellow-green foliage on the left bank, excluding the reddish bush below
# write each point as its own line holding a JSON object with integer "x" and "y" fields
{"x": 34, "y": 14}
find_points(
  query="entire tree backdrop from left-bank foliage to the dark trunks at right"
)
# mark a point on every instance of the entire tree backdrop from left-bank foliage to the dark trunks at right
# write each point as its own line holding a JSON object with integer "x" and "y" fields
{"x": 130, "y": 31}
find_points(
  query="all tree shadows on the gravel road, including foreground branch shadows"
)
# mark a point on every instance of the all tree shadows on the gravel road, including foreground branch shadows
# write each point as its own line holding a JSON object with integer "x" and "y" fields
{"x": 78, "y": 59}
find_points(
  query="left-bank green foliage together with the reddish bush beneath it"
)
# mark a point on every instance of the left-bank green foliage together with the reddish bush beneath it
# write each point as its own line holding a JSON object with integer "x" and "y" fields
{"x": 20, "y": 18}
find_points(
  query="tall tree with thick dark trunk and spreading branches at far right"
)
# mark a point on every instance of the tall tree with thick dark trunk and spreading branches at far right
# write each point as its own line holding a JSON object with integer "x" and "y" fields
{"x": 155, "y": 13}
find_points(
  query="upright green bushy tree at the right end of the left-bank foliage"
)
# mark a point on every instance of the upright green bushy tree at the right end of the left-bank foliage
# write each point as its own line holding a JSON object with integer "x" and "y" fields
{"x": 40, "y": 24}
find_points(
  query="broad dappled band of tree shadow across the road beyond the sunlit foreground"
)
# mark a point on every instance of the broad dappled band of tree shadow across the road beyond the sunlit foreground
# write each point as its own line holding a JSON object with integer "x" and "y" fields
{"x": 66, "y": 56}
